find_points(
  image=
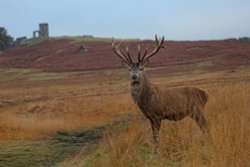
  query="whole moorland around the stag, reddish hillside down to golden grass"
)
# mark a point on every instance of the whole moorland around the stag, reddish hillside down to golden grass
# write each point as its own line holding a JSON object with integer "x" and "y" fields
{"x": 63, "y": 107}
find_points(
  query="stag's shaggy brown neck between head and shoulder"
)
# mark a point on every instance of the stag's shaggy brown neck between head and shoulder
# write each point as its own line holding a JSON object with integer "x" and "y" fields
{"x": 139, "y": 89}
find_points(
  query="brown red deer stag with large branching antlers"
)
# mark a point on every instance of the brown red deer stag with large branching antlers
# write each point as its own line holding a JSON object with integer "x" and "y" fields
{"x": 159, "y": 103}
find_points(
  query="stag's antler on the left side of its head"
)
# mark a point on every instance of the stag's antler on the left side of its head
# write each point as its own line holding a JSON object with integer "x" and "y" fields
{"x": 120, "y": 53}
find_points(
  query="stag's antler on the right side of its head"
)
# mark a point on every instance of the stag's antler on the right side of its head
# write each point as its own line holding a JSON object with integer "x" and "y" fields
{"x": 147, "y": 55}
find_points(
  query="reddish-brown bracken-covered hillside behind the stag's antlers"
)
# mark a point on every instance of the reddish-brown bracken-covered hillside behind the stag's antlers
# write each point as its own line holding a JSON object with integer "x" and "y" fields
{"x": 63, "y": 55}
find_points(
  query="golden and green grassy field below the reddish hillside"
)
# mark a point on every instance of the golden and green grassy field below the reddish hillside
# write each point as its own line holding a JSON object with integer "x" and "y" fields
{"x": 88, "y": 119}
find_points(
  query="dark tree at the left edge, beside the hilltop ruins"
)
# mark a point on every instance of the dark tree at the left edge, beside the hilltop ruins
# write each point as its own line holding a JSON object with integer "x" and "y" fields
{"x": 5, "y": 39}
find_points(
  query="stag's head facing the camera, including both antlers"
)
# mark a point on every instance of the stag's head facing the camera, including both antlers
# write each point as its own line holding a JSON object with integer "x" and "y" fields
{"x": 136, "y": 69}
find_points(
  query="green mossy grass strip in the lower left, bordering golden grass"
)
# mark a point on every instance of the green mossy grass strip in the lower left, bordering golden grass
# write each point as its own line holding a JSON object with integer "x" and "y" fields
{"x": 49, "y": 151}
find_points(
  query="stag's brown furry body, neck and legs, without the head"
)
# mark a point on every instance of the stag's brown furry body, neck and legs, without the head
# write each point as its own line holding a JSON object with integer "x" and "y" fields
{"x": 159, "y": 103}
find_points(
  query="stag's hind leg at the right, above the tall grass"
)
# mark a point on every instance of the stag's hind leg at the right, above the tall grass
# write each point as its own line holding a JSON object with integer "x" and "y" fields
{"x": 197, "y": 115}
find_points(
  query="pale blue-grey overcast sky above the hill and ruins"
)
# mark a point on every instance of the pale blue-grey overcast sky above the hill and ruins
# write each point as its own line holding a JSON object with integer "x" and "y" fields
{"x": 175, "y": 19}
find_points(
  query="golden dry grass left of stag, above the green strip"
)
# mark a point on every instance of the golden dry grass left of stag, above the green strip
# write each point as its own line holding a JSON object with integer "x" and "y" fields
{"x": 42, "y": 111}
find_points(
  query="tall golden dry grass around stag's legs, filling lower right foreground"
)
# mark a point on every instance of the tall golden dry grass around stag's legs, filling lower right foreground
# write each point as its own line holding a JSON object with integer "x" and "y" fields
{"x": 181, "y": 143}
